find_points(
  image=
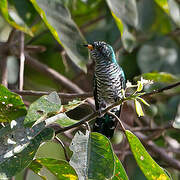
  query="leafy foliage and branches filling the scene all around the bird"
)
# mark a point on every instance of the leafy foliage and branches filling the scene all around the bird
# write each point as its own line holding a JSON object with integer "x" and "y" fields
{"x": 145, "y": 37}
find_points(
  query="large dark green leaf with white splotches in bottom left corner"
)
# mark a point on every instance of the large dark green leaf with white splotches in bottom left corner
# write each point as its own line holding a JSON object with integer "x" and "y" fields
{"x": 18, "y": 146}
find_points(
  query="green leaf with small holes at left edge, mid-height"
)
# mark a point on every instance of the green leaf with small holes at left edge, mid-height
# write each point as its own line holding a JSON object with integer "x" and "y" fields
{"x": 11, "y": 105}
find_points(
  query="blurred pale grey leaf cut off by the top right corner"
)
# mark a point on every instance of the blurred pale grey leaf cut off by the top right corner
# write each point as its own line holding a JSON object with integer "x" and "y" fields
{"x": 174, "y": 8}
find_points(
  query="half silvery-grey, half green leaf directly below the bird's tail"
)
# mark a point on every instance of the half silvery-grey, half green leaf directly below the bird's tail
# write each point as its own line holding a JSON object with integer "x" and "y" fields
{"x": 93, "y": 157}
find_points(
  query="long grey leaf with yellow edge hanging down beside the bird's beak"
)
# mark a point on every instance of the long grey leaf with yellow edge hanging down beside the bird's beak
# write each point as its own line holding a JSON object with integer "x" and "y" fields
{"x": 58, "y": 19}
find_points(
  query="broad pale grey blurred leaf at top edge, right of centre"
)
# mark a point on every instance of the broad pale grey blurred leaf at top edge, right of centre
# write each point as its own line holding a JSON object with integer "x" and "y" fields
{"x": 125, "y": 10}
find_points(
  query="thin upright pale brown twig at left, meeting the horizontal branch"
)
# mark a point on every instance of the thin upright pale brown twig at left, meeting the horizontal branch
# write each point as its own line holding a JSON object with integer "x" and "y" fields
{"x": 22, "y": 60}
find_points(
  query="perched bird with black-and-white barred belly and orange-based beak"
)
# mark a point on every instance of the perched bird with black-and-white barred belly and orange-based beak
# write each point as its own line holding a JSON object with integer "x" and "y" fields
{"x": 109, "y": 80}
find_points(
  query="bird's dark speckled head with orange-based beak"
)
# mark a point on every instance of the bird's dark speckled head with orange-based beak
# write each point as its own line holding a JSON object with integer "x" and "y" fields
{"x": 101, "y": 51}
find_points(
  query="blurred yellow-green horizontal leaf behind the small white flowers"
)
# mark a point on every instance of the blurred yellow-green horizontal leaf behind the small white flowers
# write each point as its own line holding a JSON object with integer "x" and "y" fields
{"x": 159, "y": 77}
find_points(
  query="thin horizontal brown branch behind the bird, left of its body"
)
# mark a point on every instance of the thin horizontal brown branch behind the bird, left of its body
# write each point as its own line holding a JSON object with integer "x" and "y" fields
{"x": 61, "y": 95}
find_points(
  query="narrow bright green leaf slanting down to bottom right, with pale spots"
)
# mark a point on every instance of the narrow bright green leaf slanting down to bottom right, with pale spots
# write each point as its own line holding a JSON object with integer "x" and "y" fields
{"x": 147, "y": 165}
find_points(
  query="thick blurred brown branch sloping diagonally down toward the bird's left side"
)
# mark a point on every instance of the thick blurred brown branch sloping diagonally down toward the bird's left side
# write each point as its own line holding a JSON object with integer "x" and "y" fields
{"x": 62, "y": 80}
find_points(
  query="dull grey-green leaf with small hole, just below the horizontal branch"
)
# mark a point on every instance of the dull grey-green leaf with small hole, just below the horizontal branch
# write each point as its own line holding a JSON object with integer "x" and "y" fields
{"x": 42, "y": 108}
